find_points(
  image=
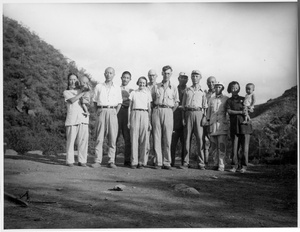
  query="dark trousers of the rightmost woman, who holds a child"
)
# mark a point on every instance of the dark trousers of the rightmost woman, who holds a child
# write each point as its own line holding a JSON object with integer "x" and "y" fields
{"x": 240, "y": 149}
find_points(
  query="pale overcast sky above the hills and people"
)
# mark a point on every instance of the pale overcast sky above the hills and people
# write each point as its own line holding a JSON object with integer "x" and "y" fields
{"x": 246, "y": 42}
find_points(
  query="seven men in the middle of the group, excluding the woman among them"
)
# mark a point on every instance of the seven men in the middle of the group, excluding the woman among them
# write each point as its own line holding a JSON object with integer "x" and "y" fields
{"x": 176, "y": 114}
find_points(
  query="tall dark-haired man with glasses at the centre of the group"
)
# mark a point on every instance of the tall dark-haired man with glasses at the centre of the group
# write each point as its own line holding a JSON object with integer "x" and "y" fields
{"x": 165, "y": 99}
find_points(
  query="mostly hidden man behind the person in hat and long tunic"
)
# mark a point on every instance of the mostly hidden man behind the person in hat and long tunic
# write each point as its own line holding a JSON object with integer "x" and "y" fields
{"x": 206, "y": 137}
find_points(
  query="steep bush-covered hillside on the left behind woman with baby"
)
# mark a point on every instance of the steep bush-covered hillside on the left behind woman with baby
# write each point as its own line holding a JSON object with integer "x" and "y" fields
{"x": 35, "y": 76}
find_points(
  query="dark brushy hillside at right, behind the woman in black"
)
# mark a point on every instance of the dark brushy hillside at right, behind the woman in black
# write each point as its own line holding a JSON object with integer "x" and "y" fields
{"x": 275, "y": 129}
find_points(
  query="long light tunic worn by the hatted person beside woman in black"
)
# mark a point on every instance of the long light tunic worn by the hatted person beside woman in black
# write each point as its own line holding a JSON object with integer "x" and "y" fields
{"x": 216, "y": 113}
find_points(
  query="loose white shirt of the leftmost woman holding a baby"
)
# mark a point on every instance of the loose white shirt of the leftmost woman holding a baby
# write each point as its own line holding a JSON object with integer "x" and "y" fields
{"x": 75, "y": 112}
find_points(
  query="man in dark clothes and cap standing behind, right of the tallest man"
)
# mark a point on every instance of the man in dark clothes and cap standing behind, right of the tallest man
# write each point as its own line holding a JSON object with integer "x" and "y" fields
{"x": 178, "y": 132}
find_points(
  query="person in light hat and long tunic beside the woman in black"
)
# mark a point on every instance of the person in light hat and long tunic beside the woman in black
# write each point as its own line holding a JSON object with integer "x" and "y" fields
{"x": 219, "y": 126}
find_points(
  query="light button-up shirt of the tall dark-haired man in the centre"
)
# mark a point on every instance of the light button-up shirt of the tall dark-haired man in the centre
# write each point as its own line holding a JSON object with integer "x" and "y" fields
{"x": 165, "y": 96}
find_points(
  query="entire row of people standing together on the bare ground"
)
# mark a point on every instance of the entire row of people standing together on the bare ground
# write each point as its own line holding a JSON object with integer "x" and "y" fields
{"x": 134, "y": 113}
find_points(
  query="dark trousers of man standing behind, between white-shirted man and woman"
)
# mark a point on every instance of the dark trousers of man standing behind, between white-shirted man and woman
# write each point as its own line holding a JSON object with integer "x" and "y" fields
{"x": 123, "y": 129}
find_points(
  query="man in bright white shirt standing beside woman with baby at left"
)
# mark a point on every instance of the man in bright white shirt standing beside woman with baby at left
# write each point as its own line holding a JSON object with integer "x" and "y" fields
{"x": 107, "y": 101}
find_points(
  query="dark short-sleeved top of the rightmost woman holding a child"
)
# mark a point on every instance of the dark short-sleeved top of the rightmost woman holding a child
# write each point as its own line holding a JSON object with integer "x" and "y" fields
{"x": 236, "y": 127}
